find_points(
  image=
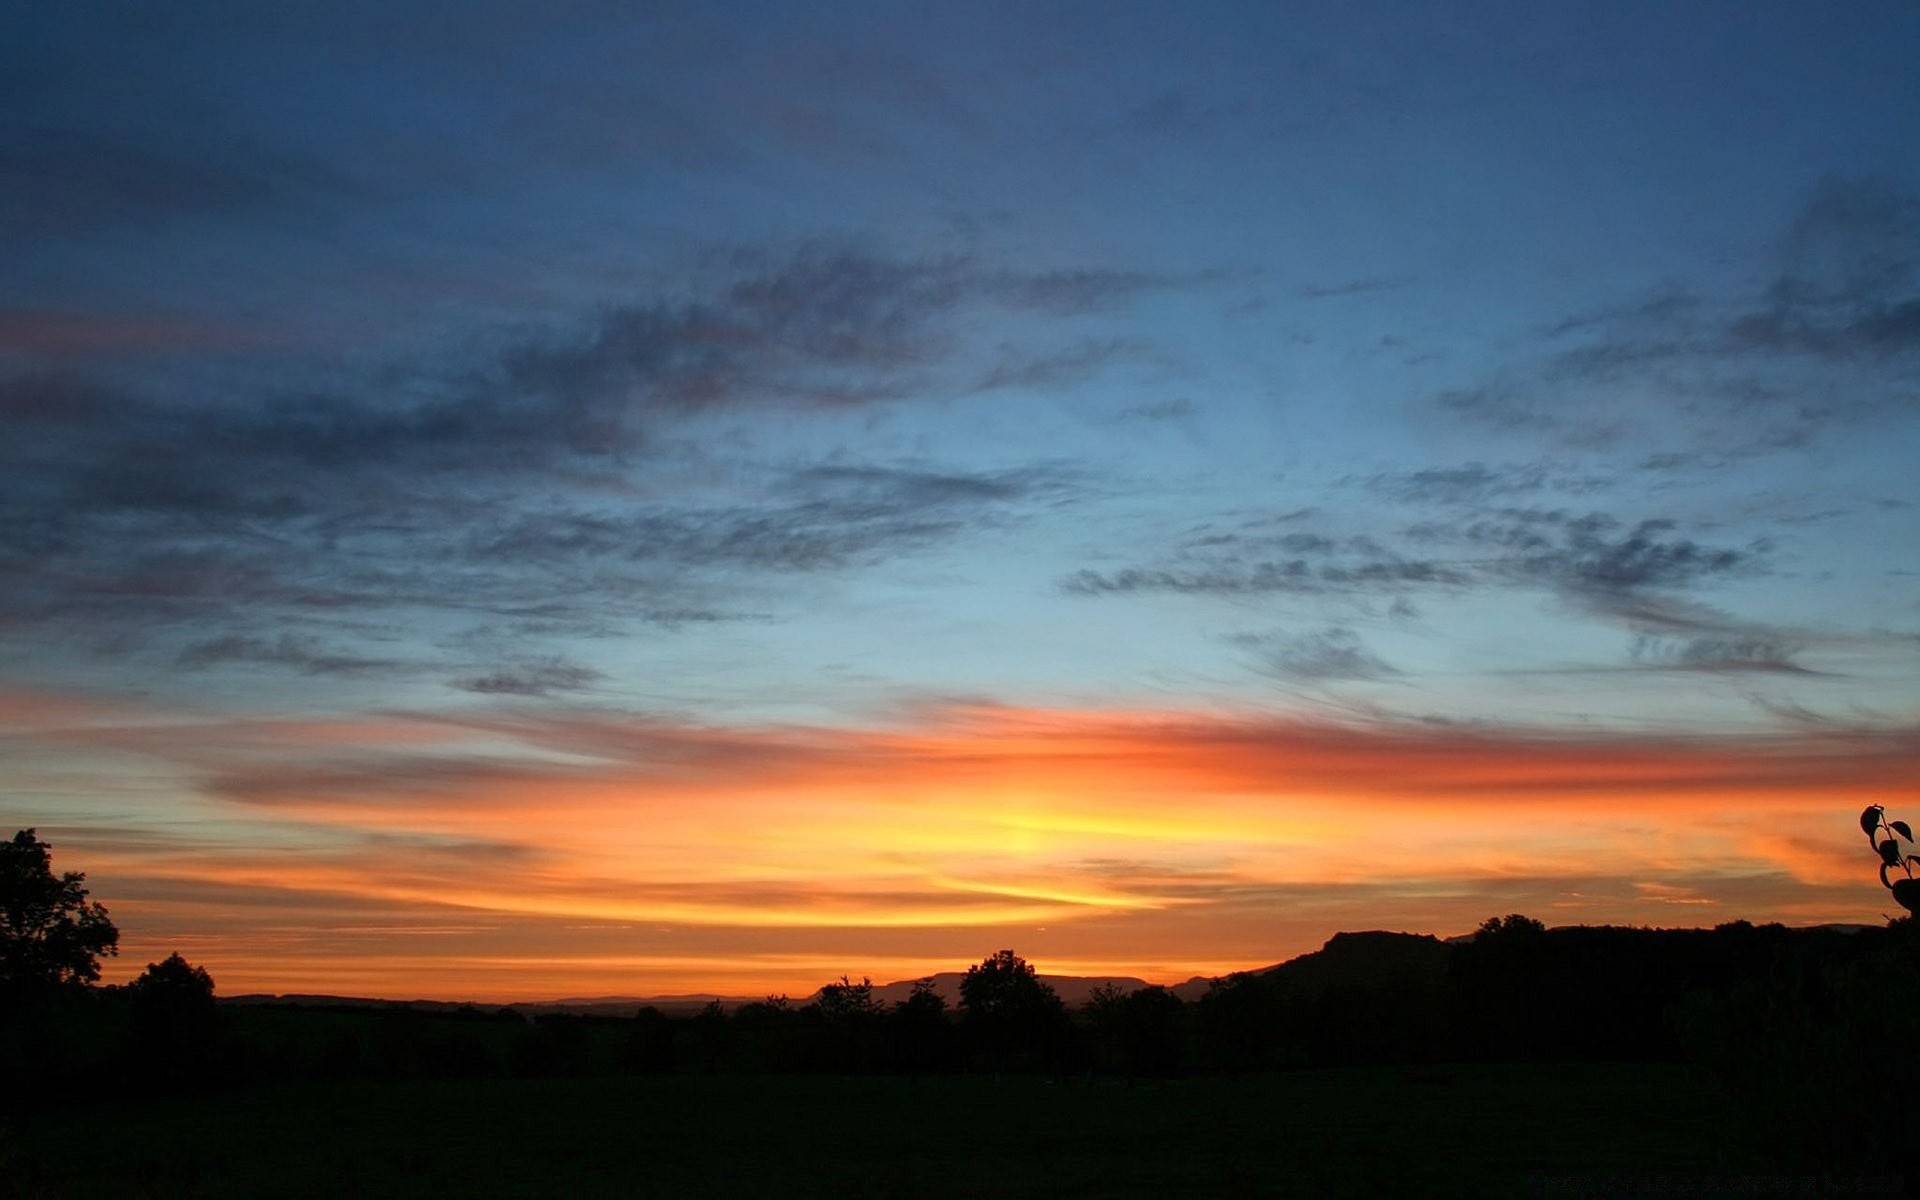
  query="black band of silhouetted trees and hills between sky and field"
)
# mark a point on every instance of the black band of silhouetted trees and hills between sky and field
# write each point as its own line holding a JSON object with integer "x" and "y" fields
{"x": 1792, "y": 1020}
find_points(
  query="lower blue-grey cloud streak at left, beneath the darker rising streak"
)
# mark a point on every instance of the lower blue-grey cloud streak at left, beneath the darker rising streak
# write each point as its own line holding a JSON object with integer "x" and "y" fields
{"x": 571, "y": 569}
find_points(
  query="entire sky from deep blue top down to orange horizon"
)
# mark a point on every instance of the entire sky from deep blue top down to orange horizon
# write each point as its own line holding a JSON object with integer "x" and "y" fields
{"x": 517, "y": 502}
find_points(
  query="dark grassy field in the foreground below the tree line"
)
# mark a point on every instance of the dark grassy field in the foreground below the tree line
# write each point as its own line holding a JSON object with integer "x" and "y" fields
{"x": 1516, "y": 1130}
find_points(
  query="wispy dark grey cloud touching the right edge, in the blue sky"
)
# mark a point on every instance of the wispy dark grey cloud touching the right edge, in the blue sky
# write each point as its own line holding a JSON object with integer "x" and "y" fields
{"x": 1825, "y": 341}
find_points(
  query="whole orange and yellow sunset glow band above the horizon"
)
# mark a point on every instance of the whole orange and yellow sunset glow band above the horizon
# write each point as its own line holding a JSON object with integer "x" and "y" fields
{"x": 583, "y": 855}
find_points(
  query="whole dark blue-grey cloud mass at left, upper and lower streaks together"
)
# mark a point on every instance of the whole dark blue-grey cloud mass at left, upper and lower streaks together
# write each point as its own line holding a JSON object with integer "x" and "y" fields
{"x": 517, "y": 489}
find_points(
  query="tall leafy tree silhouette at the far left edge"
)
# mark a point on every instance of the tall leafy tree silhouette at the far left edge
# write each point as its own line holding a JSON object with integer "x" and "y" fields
{"x": 51, "y": 934}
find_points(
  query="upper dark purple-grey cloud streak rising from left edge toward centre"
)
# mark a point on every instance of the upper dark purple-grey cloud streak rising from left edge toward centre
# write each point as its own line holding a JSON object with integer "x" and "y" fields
{"x": 821, "y": 329}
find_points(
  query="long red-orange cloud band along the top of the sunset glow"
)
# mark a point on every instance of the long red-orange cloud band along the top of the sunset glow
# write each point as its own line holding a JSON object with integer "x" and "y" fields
{"x": 602, "y": 757}
